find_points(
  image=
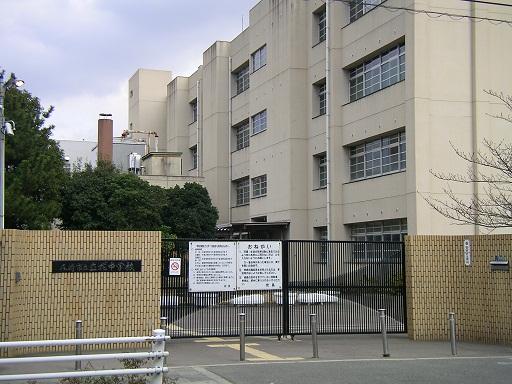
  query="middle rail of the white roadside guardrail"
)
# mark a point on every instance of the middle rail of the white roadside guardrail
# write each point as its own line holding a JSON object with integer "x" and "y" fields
{"x": 97, "y": 356}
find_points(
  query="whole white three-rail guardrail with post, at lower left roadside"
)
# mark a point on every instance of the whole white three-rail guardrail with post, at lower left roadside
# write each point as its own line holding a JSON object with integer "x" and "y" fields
{"x": 157, "y": 356}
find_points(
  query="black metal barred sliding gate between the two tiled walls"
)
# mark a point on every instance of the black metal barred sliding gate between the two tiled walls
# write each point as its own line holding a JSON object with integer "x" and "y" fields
{"x": 343, "y": 282}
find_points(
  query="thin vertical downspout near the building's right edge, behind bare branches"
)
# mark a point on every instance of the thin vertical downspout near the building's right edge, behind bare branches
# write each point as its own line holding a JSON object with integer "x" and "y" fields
{"x": 474, "y": 131}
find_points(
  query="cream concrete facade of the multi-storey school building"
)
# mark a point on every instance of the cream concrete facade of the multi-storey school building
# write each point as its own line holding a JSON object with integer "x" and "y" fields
{"x": 324, "y": 119}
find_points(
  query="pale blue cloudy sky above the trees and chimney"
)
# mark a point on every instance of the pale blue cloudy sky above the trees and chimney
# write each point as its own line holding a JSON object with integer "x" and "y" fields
{"x": 78, "y": 55}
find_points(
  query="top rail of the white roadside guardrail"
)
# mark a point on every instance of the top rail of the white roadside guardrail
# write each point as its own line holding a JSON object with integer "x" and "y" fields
{"x": 57, "y": 343}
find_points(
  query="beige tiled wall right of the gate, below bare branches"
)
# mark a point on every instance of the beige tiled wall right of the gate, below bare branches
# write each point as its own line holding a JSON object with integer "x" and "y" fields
{"x": 438, "y": 282}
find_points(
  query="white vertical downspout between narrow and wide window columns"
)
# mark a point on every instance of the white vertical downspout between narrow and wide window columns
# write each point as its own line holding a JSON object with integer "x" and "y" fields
{"x": 327, "y": 120}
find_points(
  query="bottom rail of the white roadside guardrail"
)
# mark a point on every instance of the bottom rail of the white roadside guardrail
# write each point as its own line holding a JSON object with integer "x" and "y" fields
{"x": 107, "y": 372}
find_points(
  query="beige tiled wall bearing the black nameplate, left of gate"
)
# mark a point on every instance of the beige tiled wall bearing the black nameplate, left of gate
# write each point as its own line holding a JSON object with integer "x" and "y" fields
{"x": 44, "y": 305}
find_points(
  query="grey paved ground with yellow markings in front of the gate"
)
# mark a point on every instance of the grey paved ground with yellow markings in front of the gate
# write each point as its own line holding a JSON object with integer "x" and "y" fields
{"x": 353, "y": 359}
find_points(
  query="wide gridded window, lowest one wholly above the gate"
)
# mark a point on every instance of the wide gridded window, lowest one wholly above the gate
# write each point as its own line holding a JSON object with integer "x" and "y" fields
{"x": 378, "y": 157}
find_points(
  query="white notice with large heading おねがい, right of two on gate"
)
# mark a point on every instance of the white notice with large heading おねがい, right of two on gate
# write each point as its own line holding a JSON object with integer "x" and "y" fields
{"x": 259, "y": 265}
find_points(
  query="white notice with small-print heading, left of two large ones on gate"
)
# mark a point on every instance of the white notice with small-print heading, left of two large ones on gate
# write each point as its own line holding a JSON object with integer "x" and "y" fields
{"x": 212, "y": 266}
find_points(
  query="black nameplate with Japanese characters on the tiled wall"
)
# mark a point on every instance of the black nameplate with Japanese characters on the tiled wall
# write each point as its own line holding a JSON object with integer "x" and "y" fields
{"x": 73, "y": 266}
